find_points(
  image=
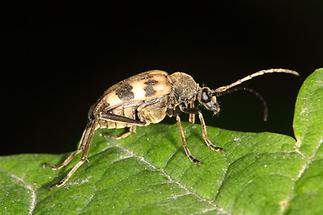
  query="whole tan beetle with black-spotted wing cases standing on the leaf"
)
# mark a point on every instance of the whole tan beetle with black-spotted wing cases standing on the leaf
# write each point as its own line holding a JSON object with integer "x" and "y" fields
{"x": 147, "y": 98}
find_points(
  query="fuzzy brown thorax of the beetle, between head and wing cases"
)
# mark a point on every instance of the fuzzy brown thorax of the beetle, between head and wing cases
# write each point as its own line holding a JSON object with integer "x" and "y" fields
{"x": 184, "y": 88}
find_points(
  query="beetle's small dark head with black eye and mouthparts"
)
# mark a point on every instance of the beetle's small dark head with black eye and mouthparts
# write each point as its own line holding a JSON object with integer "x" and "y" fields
{"x": 207, "y": 98}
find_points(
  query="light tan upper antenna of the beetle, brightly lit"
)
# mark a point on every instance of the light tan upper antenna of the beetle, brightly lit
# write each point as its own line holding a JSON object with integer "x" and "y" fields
{"x": 262, "y": 72}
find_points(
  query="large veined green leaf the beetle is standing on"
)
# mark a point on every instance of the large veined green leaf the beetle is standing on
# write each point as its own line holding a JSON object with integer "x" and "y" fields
{"x": 148, "y": 173}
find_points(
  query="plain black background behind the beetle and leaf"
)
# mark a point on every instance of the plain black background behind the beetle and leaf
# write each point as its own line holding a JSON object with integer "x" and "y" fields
{"x": 59, "y": 62}
